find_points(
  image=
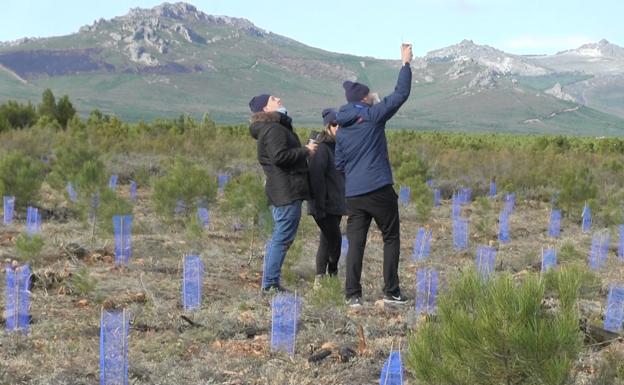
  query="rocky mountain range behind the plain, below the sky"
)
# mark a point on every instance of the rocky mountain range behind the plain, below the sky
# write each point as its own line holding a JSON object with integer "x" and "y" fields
{"x": 175, "y": 59}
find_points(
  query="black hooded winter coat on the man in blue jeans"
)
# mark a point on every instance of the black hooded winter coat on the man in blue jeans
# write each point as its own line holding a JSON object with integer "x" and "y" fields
{"x": 282, "y": 158}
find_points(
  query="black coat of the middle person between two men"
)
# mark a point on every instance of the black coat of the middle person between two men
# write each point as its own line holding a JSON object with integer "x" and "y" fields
{"x": 327, "y": 183}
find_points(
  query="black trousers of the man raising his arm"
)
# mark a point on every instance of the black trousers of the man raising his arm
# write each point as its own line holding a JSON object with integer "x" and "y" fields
{"x": 382, "y": 206}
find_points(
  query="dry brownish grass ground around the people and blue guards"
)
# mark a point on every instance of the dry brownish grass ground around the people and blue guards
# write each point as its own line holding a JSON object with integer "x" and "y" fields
{"x": 62, "y": 347}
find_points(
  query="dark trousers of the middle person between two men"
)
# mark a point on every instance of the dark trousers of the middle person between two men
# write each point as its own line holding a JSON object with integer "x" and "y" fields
{"x": 328, "y": 252}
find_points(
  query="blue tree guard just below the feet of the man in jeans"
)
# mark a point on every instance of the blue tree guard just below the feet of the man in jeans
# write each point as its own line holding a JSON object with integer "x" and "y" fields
{"x": 285, "y": 310}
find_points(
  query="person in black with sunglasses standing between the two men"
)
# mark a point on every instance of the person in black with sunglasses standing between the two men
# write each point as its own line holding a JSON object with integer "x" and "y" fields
{"x": 328, "y": 198}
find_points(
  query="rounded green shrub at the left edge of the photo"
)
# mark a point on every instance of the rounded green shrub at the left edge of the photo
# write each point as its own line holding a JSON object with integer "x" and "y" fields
{"x": 21, "y": 177}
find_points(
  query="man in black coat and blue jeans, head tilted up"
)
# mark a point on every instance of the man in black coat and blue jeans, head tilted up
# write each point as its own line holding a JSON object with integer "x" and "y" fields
{"x": 284, "y": 162}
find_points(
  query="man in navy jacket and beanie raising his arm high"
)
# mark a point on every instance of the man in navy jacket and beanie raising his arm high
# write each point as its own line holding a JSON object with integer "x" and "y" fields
{"x": 362, "y": 154}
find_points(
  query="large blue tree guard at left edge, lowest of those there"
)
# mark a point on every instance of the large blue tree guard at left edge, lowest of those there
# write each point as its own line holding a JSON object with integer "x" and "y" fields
{"x": 18, "y": 298}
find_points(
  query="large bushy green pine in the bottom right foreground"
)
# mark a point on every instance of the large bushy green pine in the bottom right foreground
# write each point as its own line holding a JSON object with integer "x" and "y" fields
{"x": 498, "y": 331}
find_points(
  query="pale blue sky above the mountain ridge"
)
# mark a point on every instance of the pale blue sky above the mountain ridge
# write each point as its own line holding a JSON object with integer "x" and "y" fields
{"x": 365, "y": 28}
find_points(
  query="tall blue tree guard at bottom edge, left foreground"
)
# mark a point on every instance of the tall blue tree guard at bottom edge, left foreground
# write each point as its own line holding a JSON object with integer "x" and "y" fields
{"x": 114, "y": 327}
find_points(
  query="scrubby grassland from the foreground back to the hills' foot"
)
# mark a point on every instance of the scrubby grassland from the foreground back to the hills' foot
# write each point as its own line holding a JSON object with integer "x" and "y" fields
{"x": 228, "y": 339}
